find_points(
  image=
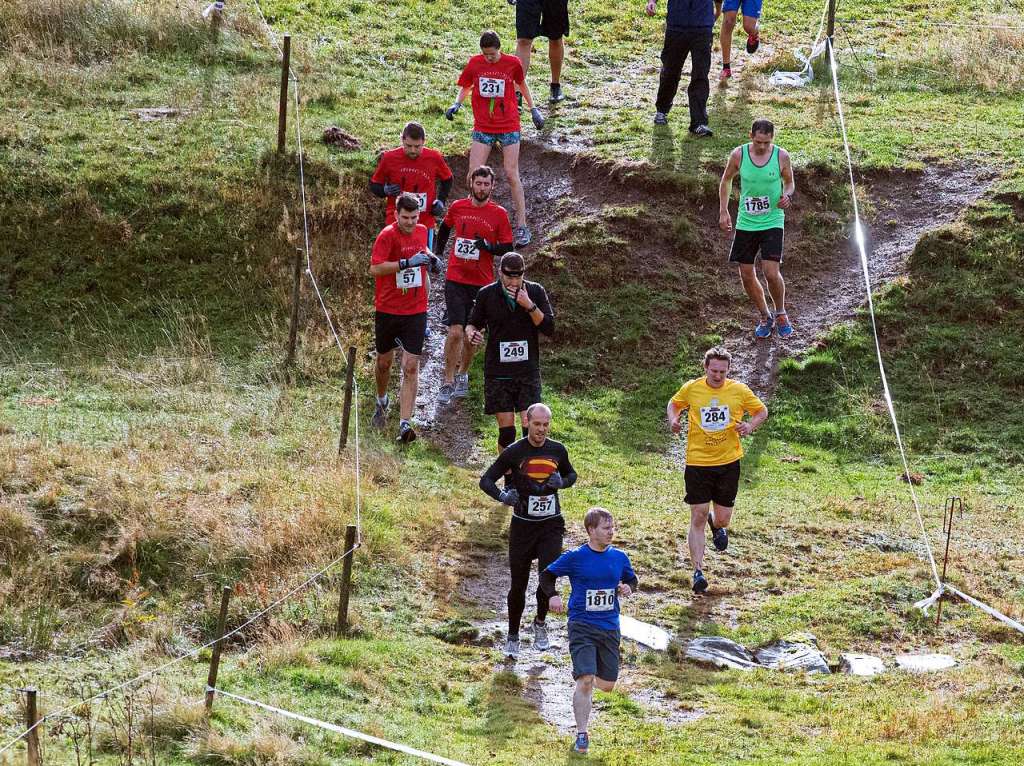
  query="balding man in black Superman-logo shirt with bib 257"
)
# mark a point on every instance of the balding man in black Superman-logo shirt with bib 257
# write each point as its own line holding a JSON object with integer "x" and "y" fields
{"x": 539, "y": 467}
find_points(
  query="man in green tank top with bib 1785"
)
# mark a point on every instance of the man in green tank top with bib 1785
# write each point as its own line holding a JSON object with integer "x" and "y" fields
{"x": 766, "y": 190}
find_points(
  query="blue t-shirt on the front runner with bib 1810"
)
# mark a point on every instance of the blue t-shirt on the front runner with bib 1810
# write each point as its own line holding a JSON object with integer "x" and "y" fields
{"x": 595, "y": 578}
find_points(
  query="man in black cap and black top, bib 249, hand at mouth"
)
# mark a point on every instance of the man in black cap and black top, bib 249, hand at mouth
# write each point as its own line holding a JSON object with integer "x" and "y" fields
{"x": 515, "y": 313}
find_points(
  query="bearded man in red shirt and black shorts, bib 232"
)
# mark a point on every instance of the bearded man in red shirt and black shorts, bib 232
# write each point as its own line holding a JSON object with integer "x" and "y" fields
{"x": 483, "y": 232}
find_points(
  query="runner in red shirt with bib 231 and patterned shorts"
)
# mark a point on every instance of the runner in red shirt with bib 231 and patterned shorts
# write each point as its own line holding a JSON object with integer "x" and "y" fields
{"x": 492, "y": 78}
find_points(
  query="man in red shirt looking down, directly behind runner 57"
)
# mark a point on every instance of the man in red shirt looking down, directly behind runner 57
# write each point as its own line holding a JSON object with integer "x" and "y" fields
{"x": 416, "y": 169}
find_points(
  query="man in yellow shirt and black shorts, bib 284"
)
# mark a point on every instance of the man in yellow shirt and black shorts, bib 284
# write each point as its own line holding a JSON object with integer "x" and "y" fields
{"x": 716, "y": 406}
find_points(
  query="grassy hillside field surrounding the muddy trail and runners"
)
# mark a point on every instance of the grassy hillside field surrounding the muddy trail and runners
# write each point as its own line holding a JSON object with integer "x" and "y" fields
{"x": 151, "y": 451}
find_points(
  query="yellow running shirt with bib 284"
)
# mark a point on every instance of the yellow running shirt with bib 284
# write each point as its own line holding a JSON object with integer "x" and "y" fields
{"x": 713, "y": 416}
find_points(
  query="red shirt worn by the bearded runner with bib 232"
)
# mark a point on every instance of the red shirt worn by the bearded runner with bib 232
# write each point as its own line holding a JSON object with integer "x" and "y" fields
{"x": 468, "y": 266}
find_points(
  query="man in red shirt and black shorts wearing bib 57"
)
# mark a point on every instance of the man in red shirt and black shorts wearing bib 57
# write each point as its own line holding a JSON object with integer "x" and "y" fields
{"x": 401, "y": 300}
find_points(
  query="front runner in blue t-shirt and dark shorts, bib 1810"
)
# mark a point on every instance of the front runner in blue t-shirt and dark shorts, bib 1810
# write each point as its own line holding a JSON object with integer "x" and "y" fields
{"x": 601, "y": 575}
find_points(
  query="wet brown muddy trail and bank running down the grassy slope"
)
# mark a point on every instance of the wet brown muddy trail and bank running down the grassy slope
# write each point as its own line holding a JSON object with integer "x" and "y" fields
{"x": 568, "y": 193}
